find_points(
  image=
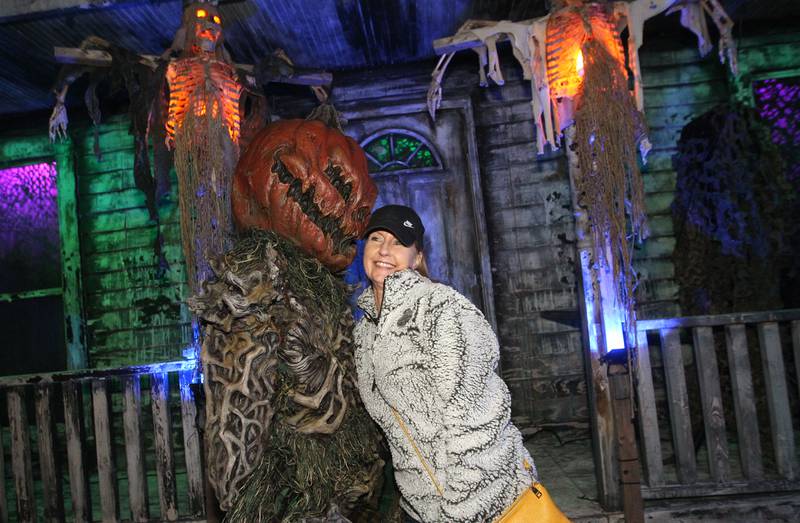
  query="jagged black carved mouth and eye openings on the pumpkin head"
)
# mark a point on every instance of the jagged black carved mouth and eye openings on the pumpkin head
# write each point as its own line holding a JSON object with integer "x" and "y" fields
{"x": 331, "y": 225}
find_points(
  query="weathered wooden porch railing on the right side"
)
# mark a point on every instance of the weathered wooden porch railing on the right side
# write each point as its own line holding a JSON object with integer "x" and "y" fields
{"x": 710, "y": 423}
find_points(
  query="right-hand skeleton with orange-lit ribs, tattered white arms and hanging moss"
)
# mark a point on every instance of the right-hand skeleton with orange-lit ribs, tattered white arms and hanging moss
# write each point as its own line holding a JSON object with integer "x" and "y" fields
{"x": 574, "y": 60}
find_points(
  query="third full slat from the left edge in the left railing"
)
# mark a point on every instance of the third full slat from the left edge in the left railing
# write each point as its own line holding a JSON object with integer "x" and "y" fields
{"x": 78, "y": 484}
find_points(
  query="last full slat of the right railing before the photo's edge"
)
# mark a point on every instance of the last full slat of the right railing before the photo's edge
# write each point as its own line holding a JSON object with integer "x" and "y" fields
{"x": 780, "y": 415}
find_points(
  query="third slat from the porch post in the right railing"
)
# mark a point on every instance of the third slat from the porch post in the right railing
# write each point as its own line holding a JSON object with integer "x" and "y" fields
{"x": 711, "y": 399}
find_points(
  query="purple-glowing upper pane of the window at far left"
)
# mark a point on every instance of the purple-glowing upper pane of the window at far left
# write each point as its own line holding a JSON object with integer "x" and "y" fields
{"x": 29, "y": 236}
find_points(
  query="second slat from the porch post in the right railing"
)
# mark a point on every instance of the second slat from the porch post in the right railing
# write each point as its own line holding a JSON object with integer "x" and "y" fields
{"x": 680, "y": 419}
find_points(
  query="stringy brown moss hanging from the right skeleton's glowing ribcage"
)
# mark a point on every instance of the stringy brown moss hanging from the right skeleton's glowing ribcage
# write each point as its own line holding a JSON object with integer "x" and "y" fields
{"x": 608, "y": 127}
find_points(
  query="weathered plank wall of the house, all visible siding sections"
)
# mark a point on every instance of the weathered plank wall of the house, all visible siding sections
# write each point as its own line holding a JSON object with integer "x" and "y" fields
{"x": 135, "y": 316}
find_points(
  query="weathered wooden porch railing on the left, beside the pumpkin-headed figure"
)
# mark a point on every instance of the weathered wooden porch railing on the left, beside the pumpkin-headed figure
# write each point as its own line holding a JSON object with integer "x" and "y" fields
{"x": 93, "y": 431}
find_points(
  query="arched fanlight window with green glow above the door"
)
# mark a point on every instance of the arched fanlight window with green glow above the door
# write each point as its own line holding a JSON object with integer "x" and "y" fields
{"x": 400, "y": 150}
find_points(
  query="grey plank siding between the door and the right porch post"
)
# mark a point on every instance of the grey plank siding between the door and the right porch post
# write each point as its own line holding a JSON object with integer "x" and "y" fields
{"x": 531, "y": 238}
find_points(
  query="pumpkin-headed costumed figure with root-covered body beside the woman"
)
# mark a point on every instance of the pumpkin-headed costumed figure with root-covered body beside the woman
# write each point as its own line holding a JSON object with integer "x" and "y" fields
{"x": 286, "y": 434}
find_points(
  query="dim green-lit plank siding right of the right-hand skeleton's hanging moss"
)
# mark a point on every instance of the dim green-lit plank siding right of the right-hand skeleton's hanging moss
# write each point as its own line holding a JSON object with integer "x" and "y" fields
{"x": 679, "y": 86}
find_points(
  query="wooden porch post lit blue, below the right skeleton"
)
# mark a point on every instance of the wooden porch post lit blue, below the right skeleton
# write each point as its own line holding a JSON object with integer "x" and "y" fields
{"x": 601, "y": 409}
